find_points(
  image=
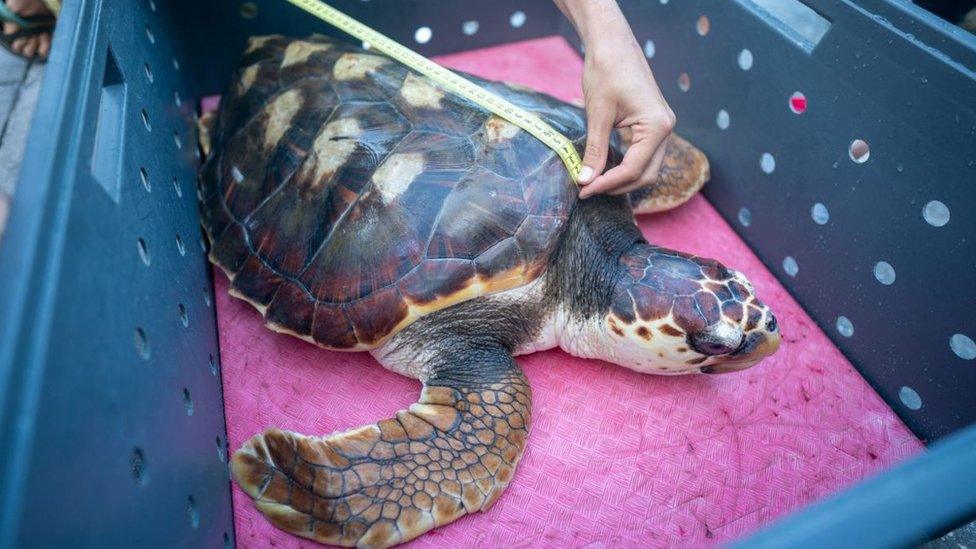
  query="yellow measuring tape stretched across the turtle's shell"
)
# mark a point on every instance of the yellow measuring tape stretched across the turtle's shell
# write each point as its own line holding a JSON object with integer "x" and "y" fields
{"x": 450, "y": 81}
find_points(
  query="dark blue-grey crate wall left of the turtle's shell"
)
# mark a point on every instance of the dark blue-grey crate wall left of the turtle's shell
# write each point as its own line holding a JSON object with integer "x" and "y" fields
{"x": 111, "y": 413}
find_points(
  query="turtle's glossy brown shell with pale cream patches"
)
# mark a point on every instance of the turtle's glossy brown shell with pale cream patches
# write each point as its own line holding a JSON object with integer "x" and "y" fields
{"x": 347, "y": 196}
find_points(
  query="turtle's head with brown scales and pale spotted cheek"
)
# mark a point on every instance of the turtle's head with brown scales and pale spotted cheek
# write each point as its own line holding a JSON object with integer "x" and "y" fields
{"x": 675, "y": 314}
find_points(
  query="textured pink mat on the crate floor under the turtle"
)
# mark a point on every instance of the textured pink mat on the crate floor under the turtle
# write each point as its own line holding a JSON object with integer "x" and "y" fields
{"x": 614, "y": 457}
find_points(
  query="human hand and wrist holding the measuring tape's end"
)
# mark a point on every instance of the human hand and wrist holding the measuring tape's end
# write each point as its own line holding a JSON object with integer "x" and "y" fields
{"x": 620, "y": 92}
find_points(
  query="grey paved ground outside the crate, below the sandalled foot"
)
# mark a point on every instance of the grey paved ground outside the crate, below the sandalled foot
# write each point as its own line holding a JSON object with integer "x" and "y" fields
{"x": 20, "y": 84}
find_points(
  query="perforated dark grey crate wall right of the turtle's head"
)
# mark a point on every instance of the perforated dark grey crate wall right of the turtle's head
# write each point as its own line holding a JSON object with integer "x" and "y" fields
{"x": 892, "y": 75}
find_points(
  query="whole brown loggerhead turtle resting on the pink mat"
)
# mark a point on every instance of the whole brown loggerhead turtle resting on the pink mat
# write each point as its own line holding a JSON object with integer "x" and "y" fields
{"x": 360, "y": 207}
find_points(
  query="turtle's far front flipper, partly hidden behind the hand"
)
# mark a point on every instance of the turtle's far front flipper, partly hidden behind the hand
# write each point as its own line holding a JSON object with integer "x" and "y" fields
{"x": 683, "y": 173}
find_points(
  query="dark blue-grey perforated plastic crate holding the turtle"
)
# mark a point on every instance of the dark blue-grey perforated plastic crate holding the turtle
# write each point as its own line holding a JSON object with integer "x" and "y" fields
{"x": 111, "y": 411}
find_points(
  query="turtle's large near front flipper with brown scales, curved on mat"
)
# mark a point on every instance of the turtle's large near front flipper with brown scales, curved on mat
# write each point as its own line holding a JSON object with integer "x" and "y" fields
{"x": 452, "y": 453}
